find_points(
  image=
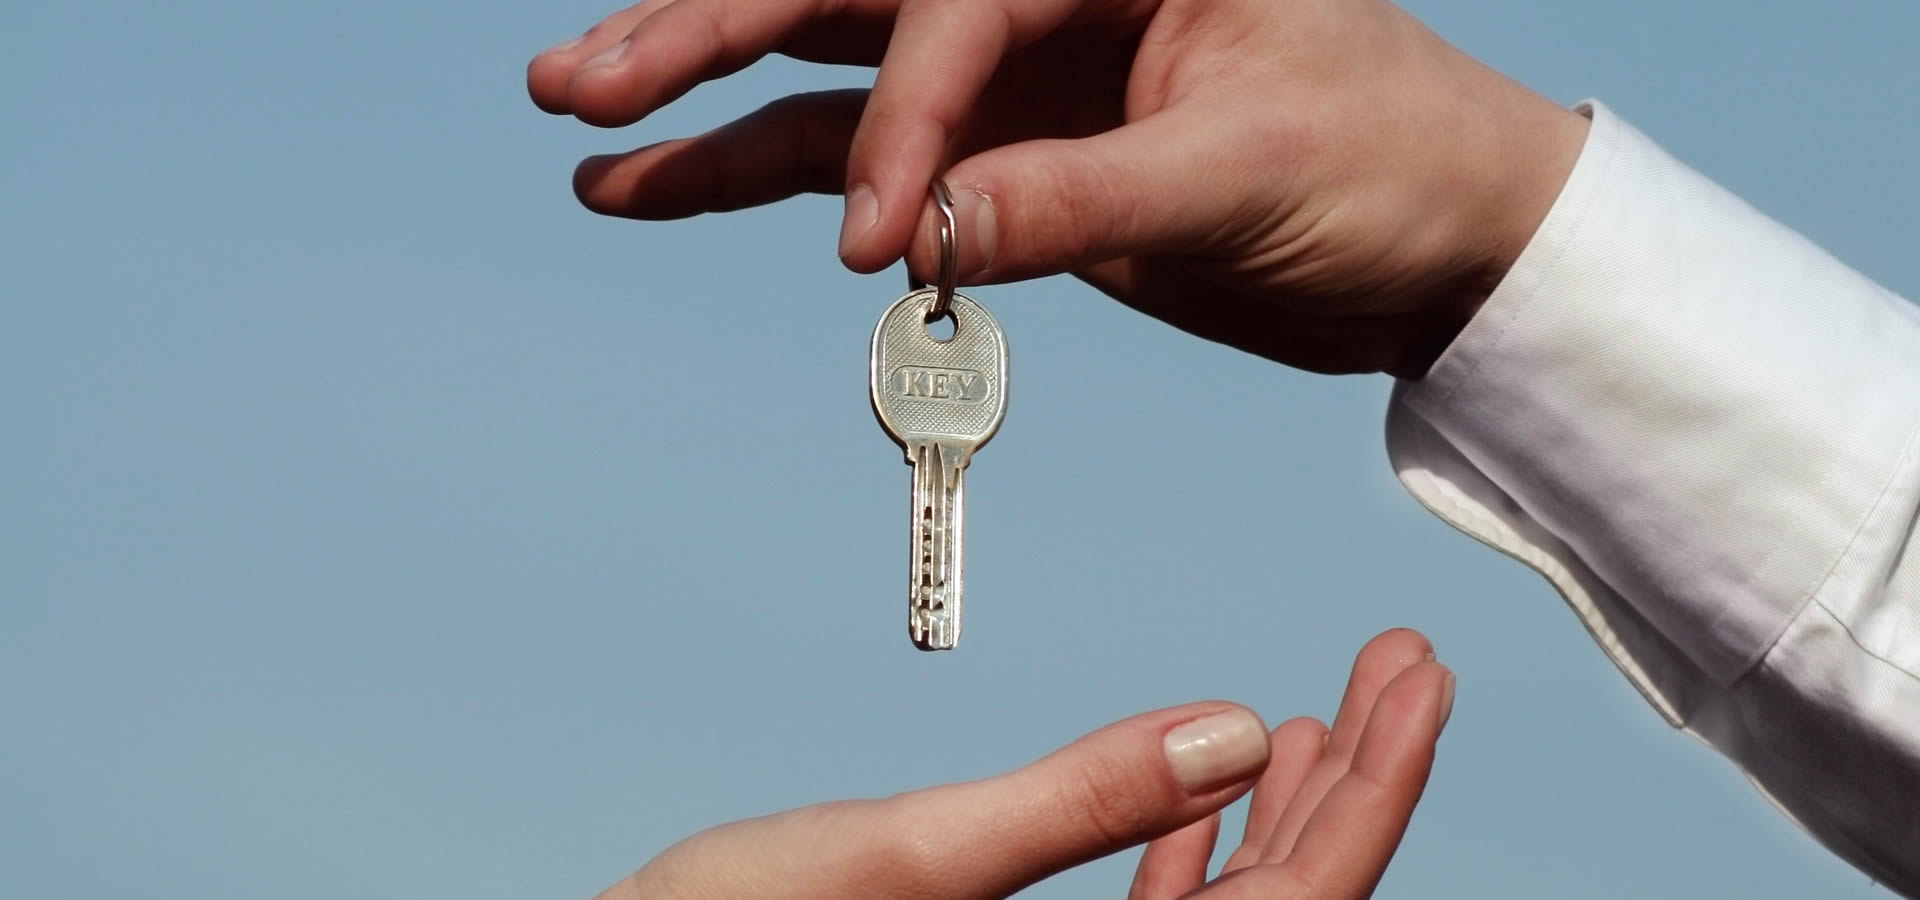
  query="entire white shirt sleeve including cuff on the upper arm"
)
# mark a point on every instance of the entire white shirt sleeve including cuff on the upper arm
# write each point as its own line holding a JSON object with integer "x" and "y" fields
{"x": 1702, "y": 431}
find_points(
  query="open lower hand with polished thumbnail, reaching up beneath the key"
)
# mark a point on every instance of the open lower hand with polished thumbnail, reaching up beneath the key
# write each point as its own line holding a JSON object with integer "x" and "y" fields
{"x": 1328, "y": 811}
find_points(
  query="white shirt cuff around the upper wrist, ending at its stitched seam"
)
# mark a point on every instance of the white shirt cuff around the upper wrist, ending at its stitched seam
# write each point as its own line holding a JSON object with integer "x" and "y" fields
{"x": 1687, "y": 394}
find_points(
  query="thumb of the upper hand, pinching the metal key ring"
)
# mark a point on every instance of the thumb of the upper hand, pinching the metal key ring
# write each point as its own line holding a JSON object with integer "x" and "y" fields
{"x": 1040, "y": 208}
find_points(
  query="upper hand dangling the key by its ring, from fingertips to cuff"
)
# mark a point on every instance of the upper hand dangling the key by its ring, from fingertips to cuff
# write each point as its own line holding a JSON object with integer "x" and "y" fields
{"x": 1324, "y": 183}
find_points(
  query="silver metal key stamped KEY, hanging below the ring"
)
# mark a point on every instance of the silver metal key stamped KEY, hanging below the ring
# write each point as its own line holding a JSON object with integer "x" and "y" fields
{"x": 942, "y": 400}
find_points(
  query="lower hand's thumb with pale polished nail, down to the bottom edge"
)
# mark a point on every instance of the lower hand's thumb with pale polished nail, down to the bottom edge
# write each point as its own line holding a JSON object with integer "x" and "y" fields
{"x": 1116, "y": 788}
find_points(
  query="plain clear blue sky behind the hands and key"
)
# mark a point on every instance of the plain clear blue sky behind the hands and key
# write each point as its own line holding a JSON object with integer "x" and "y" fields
{"x": 381, "y": 525}
